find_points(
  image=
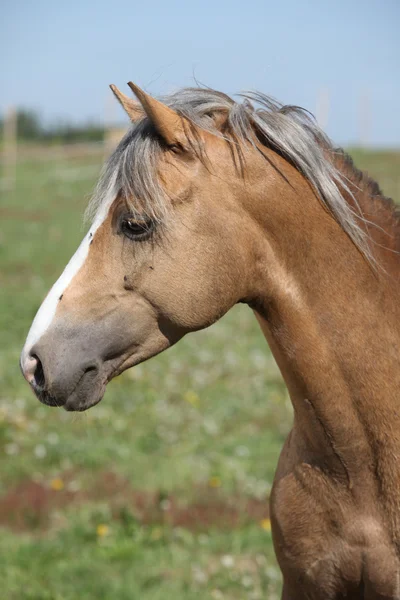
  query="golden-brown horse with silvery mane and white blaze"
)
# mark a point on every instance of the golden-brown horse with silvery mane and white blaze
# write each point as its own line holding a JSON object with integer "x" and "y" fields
{"x": 208, "y": 202}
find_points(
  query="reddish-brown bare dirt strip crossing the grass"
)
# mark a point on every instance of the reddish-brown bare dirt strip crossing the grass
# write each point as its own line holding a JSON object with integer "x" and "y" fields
{"x": 30, "y": 504}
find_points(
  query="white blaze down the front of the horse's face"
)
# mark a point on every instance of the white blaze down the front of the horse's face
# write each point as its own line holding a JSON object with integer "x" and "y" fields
{"x": 48, "y": 308}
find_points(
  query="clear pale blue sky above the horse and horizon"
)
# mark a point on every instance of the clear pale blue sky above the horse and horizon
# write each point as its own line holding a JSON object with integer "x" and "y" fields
{"x": 59, "y": 57}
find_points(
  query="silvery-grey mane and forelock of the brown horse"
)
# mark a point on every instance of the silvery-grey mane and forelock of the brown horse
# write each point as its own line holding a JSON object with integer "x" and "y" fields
{"x": 291, "y": 131}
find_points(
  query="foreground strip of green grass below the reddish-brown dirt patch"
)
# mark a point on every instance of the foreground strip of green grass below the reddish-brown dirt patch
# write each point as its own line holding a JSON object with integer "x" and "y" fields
{"x": 134, "y": 562}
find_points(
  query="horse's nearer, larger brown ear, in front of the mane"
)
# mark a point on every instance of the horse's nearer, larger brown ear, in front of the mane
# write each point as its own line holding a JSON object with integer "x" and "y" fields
{"x": 167, "y": 122}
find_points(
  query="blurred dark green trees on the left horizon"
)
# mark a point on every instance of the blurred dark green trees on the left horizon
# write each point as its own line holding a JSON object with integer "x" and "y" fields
{"x": 31, "y": 128}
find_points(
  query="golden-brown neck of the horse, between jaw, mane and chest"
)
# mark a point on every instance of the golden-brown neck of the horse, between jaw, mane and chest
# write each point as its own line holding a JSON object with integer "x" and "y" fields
{"x": 332, "y": 323}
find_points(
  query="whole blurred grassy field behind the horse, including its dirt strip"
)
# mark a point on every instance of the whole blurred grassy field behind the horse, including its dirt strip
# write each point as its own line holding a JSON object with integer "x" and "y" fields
{"x": 160, "y": 491}
